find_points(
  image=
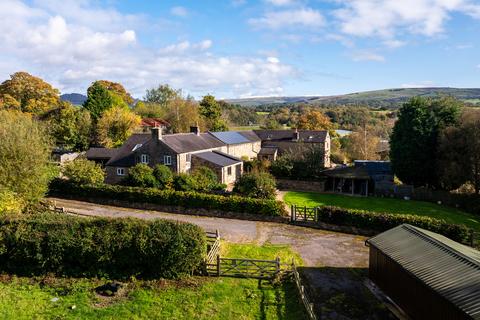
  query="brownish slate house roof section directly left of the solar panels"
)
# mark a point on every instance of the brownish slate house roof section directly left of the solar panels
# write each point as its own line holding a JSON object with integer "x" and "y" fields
{"x": 189, "y": 142}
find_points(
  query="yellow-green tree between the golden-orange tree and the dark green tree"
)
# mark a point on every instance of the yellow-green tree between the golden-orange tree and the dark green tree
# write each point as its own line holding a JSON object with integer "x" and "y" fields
{"x": 71, "y": 127}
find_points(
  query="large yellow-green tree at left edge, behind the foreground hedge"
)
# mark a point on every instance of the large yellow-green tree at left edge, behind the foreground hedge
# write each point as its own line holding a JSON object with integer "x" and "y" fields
{"x": 25, "y": 150}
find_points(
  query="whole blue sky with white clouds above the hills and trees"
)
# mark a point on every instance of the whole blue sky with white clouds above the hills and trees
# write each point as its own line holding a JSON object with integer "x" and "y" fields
{"x": 243, "y": 48}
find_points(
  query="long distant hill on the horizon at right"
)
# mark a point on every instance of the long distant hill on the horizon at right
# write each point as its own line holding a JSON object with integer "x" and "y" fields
{"x": 388, "y": 98}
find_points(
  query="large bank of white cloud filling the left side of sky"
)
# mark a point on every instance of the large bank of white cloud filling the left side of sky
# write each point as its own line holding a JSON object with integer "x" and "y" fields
{"x": 70, "y": 51}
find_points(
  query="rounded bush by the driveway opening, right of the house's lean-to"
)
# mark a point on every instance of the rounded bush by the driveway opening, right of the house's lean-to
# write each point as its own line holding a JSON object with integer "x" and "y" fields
{"x": 257, "y": 185}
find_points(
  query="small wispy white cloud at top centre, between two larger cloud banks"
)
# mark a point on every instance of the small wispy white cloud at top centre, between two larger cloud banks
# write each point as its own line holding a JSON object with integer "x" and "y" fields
{"x": 304, "y": 17}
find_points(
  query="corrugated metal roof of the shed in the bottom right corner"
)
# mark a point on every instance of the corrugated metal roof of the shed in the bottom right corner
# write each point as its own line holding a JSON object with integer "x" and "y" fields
{"x": 449, "y": 268}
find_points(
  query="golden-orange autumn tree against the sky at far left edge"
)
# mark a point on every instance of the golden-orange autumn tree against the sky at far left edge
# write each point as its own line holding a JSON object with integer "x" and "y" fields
{"x": 27, "y": 93}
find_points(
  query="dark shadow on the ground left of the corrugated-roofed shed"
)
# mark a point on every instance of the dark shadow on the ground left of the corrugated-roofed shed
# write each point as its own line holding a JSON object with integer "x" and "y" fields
{"x": 339, "y": 293}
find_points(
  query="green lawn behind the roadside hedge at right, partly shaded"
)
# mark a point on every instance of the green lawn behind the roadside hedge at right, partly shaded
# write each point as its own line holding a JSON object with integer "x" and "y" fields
{"x": 311, "y": 199}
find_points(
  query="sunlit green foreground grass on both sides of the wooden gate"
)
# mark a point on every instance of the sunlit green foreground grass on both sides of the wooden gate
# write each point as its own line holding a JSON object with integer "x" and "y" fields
{"x": 192, "y": 298}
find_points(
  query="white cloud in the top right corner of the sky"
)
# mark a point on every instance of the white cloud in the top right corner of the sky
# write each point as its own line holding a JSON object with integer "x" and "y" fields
{"x": 386, "y": 18}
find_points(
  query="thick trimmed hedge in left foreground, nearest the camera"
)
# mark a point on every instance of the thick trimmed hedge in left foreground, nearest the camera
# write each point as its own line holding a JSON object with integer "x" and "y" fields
{"x": 115, "y": 248}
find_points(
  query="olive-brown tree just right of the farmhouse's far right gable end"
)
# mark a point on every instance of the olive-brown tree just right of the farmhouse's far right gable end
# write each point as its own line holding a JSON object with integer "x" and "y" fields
{"x": 362, "y": 145}
